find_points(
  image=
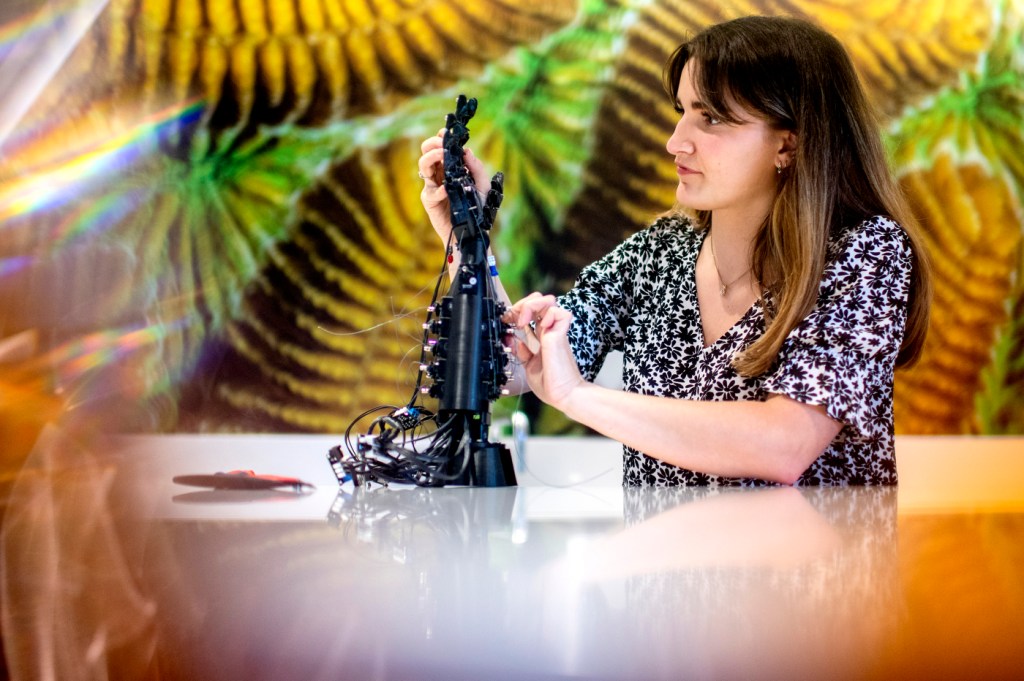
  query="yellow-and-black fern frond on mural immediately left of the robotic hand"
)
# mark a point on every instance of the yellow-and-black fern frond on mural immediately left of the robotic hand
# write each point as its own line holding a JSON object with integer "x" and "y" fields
{"x": 337, "y": 314}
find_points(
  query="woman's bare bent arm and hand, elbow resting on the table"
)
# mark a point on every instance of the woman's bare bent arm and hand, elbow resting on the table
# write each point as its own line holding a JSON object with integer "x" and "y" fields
{"x": 775, "y": 441}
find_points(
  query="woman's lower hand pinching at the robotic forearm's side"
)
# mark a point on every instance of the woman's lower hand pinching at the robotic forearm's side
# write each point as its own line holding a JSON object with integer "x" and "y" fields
{"x": 551, "y": 369}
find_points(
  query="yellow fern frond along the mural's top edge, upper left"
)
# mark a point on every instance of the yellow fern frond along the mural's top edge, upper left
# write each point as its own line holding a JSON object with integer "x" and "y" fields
{"x": 289, "y": 62}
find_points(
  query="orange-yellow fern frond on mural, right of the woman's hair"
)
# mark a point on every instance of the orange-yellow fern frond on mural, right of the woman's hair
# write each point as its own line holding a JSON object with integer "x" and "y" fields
{"x": 974, "y": 238}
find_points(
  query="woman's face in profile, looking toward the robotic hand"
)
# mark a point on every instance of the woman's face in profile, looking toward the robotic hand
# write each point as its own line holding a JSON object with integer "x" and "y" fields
{"x": 723, "y": 167}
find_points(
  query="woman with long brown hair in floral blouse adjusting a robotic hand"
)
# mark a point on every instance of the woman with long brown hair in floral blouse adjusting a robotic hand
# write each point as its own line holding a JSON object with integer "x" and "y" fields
{"x": 762, "y": 320}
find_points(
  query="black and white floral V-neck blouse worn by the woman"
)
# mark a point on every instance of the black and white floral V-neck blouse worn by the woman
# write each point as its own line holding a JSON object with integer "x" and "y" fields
{"x": 642, "y": 300}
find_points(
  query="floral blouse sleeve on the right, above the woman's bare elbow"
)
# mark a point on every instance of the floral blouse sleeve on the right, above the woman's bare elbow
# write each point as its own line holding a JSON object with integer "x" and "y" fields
{"x": 843, "y": 355}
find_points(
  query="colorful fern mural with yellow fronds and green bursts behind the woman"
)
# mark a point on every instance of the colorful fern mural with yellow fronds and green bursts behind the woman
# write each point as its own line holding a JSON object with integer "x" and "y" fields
{"x": 209, "y": 209}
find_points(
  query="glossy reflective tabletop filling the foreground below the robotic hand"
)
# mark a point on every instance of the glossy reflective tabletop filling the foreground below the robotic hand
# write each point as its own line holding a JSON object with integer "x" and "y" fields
{"x": 477, "y": 584}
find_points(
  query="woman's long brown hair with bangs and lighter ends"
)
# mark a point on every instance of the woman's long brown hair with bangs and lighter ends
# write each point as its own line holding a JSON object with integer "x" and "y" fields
{"x": 797, "y": 77}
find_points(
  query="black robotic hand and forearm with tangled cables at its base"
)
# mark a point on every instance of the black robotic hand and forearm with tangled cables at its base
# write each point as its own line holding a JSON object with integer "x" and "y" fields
{"x": 462, "y": 354}
